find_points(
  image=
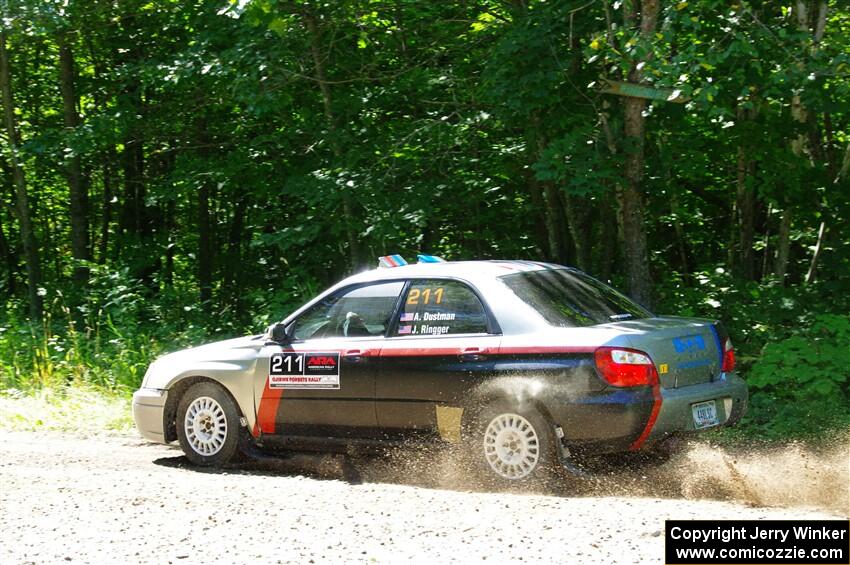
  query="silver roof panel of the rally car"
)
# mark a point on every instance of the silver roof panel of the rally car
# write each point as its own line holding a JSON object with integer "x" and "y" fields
{"x": 469, "y": 270}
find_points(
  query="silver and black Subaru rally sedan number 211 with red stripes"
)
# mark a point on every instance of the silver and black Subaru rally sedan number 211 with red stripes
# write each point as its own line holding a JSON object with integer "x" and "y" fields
{"x": 525, "y": 365}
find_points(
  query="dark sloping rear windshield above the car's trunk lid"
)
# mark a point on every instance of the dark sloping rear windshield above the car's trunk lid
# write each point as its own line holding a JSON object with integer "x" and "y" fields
{"x": 568, "y": 298}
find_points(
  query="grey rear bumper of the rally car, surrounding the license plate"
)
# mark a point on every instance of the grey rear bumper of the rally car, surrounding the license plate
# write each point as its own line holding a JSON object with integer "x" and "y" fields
{"x": 675, "y": 415}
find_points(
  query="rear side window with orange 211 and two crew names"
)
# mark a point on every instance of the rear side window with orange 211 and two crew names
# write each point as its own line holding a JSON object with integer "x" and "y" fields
{"x": 441, "y": 307}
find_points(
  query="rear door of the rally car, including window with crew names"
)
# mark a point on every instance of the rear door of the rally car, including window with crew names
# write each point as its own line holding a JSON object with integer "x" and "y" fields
{"x": 441, "y": 347}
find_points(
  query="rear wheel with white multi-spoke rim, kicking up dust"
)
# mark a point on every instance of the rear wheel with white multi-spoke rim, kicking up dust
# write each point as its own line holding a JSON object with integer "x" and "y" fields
{"x": 528, "y": 457}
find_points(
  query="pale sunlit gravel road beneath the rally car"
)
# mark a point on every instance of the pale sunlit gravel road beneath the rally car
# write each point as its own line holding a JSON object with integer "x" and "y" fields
{"x": 66, "y": 498}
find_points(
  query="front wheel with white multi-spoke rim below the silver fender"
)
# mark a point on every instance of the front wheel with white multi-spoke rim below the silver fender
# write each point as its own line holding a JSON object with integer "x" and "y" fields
{"x": 209, "y": 436}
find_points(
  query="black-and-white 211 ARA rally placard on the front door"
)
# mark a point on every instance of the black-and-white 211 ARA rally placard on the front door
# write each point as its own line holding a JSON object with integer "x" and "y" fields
{"x": 293, "y": 370}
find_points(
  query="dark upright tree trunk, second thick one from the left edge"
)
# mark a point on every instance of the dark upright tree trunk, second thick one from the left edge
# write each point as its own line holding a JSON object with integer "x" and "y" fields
{"x": 77, "y": 185}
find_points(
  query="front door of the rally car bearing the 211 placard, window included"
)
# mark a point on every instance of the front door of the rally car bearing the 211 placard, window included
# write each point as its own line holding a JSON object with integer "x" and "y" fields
{"x": 323, "y": 382}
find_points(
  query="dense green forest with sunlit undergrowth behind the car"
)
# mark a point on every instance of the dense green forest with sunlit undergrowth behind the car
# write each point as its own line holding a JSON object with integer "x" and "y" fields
{"x": 176, "y": 171}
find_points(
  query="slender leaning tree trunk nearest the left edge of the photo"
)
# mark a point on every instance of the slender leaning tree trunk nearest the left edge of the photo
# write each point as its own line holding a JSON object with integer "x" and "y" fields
{"x": 31, "y": 254}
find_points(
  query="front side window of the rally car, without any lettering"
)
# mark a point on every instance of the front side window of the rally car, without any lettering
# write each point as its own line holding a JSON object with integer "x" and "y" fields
{"x": 361, "y": 312}
